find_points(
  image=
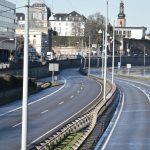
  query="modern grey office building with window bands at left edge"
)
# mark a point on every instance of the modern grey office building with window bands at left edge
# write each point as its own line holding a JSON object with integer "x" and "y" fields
{"x": 7, "y": 30}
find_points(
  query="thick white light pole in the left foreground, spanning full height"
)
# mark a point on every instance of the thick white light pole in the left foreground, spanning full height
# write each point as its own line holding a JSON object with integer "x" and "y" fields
{"x": 25, "y": 80}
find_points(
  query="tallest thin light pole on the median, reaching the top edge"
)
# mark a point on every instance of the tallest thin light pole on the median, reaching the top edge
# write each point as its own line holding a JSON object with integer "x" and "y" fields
{"x": 105, "y": 64}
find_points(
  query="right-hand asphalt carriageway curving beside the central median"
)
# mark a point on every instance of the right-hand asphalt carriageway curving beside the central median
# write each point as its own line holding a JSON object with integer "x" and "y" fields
{"x": 132, "y": 130}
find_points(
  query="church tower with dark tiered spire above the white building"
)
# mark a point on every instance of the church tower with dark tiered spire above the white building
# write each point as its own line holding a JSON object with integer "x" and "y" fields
{"x": 121, "y": 21}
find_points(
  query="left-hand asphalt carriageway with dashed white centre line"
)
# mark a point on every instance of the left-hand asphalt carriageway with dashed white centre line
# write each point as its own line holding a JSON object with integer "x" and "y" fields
{"x": 47, "y": 110}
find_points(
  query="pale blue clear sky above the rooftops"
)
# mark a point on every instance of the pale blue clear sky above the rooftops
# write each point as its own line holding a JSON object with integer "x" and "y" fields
{"x": 137, "y": 11}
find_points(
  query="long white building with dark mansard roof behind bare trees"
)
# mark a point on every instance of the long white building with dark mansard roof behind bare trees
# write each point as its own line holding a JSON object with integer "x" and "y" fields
{"x": 71, "y": 24}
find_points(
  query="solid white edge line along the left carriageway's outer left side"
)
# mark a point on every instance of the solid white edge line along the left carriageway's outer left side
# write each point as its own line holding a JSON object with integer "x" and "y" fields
{"x": 10, "y": 111}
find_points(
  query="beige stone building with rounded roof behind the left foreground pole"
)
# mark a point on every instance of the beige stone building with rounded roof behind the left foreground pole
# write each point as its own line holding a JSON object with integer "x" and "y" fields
{"x": 38, "y": 28}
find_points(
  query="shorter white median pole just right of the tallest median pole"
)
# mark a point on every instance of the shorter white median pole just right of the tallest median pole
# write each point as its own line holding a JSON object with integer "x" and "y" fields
{"x": 113, "y": 56}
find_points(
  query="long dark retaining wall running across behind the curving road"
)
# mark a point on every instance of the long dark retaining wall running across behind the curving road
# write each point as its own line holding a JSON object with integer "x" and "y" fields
{"x": 37, "y": 70}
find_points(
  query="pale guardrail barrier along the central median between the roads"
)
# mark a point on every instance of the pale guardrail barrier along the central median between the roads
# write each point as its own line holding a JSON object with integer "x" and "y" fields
{"x": 88, "y": 121}
